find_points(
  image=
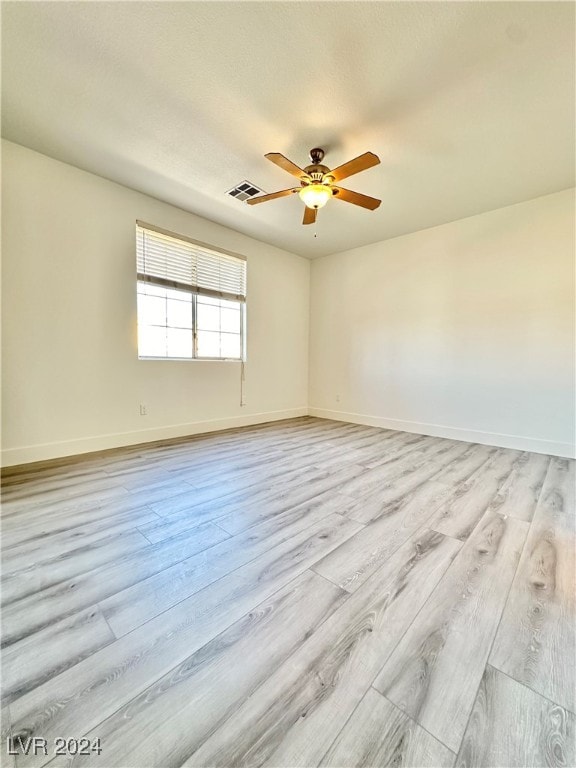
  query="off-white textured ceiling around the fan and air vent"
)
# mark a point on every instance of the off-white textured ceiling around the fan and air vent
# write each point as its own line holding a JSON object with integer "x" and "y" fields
{"x": 470, "y": 105}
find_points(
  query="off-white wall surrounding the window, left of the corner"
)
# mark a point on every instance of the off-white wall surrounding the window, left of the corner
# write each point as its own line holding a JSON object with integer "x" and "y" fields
{"x": 72, "y": 381}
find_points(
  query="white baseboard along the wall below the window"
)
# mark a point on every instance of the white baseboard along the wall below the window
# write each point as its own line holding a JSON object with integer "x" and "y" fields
{"x": 46, "y": 451}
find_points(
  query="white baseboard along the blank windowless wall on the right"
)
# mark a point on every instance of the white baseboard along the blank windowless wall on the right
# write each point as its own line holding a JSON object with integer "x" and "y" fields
{"x": 519, "y": 442}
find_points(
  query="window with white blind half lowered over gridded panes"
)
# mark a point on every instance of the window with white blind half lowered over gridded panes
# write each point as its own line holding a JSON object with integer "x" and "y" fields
{"x": 191, "y": 298}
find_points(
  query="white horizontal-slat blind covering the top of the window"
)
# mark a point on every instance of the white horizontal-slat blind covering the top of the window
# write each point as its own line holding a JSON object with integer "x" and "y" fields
{"x": 174, "y": 261}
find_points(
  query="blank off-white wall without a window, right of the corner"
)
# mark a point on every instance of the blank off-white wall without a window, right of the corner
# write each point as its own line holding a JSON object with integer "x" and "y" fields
{"x": 465, "y": 330}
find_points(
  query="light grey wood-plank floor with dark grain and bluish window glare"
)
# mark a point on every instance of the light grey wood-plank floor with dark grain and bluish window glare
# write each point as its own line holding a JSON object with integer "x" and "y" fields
{"x": 302, "y": 593}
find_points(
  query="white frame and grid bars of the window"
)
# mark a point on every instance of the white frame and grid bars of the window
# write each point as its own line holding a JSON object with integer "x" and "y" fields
{"x": 195, "y": 295}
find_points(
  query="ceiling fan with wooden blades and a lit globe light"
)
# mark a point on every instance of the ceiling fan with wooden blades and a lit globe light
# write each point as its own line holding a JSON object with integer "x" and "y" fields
{"x": 317, "y": 182}
